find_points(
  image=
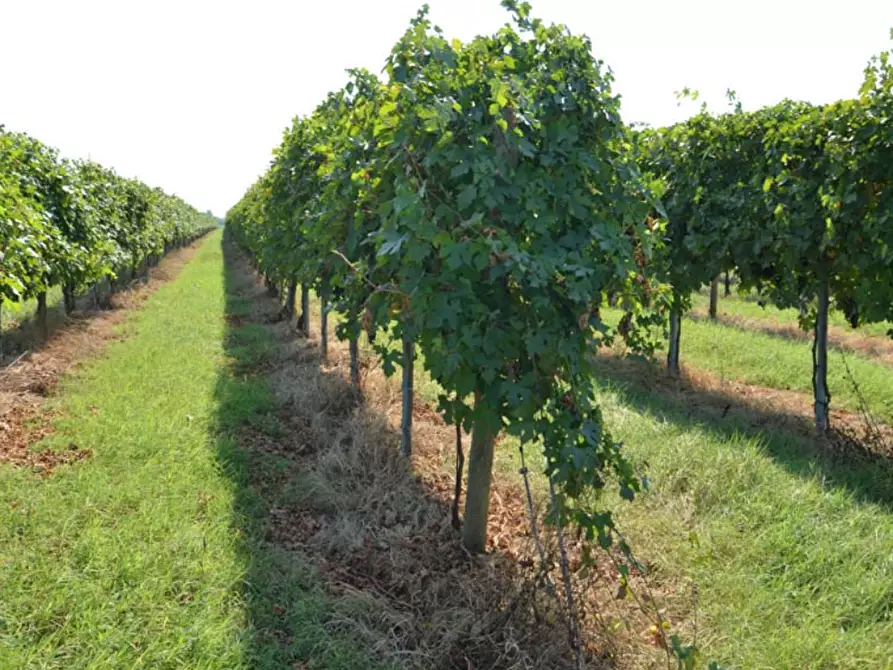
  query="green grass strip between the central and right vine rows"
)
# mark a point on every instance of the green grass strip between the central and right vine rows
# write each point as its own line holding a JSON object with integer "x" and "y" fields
{"x": 791, "y": 552}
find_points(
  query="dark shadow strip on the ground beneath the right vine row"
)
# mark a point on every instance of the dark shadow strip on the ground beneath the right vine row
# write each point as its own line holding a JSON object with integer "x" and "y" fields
{"x": 788, "y": 438}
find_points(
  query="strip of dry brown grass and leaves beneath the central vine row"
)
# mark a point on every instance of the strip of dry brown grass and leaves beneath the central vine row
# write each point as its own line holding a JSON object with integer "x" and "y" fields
{"x": 378, "y": 529}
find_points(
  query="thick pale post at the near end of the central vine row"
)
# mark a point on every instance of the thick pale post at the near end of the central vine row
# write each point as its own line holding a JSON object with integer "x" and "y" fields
{"x": 477, "y": 494}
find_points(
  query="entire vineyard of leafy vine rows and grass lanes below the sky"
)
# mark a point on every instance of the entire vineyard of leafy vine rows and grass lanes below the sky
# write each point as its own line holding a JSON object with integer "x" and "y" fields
{"x": 477, "y": 375}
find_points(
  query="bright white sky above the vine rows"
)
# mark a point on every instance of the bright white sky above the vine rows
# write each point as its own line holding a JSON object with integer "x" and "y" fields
{"x": 192, "y": 95}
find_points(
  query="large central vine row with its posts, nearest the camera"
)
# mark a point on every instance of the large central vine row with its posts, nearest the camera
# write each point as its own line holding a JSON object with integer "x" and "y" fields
{"x": 477, "y": 204}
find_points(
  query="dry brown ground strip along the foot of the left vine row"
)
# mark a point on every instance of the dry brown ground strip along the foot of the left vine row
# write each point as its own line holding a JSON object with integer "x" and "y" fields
{"x": 31, "y": 378}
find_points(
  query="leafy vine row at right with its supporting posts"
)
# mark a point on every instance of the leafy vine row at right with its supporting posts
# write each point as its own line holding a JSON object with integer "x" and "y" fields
{"x": 796, "y": 199}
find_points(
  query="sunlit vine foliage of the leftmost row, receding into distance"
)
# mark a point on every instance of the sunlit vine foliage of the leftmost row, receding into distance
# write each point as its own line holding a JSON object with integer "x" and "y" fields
{"x": 75, "y": 223}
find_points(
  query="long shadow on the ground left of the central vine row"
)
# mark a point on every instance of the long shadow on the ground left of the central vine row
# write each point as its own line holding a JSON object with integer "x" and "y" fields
{"x": 351, "y": 559}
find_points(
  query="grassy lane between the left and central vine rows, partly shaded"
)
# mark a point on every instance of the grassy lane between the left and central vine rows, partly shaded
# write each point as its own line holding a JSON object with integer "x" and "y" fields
{"x": 151, "y": 554}
